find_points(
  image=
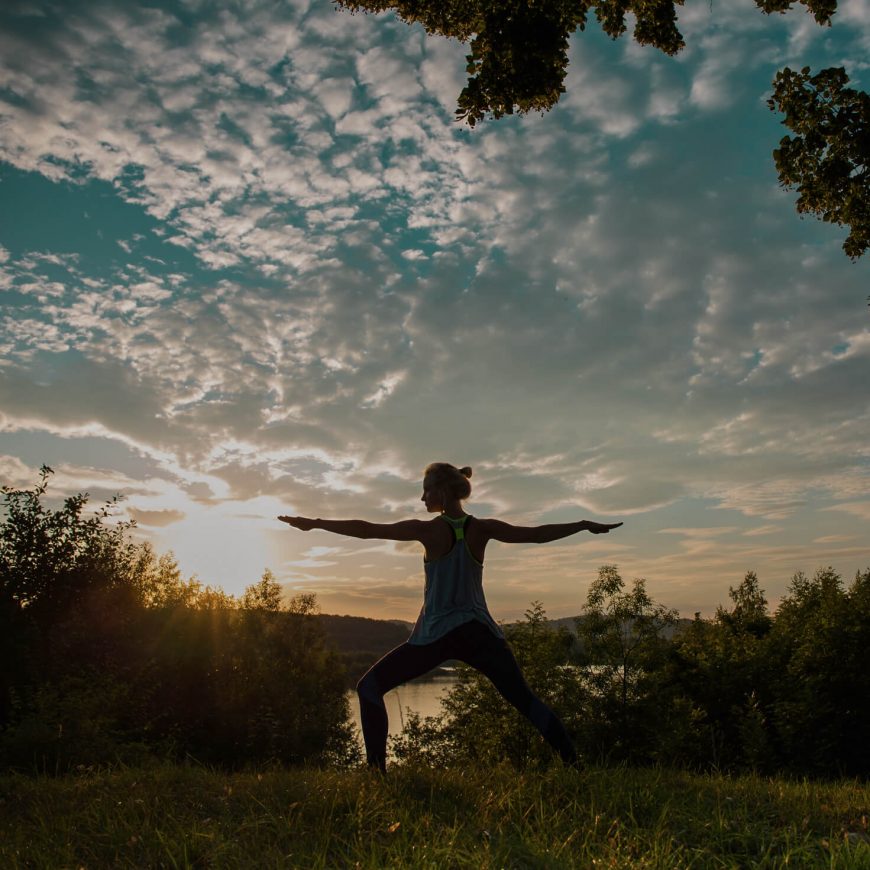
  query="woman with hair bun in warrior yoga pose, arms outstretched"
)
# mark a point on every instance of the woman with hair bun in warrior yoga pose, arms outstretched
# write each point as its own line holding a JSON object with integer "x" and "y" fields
{"x": 454, "y": 622}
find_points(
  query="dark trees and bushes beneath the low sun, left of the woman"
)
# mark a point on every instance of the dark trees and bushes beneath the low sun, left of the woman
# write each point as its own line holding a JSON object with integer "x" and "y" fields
{"x": 107, "y": 654}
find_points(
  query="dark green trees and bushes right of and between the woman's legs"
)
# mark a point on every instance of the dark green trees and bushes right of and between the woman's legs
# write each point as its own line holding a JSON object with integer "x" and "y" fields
{"x": 746, "y": 690}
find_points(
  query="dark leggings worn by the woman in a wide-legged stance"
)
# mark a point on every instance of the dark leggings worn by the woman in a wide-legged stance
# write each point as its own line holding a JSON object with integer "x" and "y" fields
{"x": 472, "y": 643}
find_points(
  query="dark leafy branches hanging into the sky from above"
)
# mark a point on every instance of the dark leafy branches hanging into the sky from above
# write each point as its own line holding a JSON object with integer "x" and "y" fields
{"x": 518, "y": 61}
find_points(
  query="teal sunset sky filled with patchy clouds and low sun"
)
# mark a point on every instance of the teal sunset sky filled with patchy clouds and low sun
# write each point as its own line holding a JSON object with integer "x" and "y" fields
{"x": 251, "y": 265}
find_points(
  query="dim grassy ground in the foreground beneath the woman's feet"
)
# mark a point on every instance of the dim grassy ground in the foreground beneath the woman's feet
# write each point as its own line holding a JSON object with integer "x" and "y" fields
{"x": 187, "y": 816}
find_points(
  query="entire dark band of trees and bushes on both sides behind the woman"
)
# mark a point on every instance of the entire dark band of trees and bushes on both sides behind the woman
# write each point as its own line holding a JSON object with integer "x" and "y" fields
{"x": 107, "y": 654}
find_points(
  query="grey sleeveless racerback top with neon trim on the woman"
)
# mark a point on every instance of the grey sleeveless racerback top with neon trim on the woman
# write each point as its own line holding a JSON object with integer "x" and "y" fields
{"x": 453, "y": 594}
